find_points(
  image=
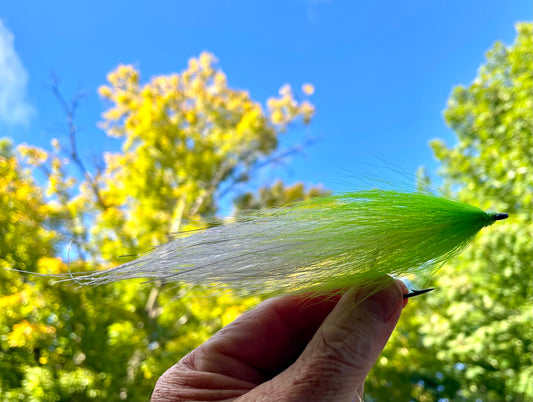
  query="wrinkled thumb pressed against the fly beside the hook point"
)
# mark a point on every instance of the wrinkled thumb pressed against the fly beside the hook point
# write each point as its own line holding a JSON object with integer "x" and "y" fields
{"x": 335, "y": 363}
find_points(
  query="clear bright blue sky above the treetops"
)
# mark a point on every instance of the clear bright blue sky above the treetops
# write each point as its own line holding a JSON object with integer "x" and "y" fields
{"x": 382, "y": 70}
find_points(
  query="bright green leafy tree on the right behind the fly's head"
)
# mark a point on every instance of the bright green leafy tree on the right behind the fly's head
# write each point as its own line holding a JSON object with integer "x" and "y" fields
{"x": 471, "y": 340}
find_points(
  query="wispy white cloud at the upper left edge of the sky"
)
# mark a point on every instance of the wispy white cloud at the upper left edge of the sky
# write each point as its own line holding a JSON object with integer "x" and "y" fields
{"x": 14, "y": 109}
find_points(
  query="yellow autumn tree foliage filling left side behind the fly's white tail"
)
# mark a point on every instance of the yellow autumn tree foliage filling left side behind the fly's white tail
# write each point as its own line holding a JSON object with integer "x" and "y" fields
{"x": 188, "y": 139}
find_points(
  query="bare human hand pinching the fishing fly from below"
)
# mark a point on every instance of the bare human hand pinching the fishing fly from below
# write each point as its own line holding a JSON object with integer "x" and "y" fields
{"x": 289, "y": 349}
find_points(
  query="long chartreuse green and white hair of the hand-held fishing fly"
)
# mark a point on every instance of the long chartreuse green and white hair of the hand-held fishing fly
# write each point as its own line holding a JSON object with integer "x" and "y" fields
{"x": 318, "y": 246}
